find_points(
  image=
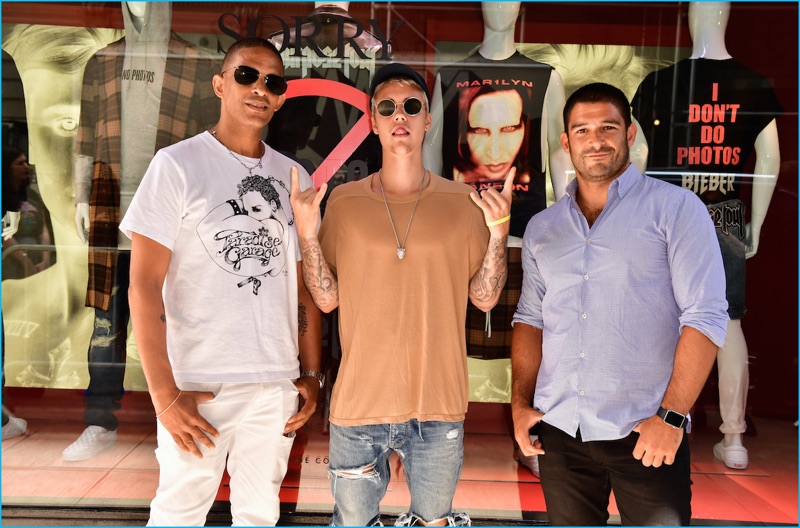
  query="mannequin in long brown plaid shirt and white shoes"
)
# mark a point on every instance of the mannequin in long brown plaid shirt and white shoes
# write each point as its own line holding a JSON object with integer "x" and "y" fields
{"x": 148, "y": 65}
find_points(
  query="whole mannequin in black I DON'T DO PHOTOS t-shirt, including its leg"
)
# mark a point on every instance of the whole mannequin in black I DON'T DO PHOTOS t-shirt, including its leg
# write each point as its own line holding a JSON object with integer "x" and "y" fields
{"x": 753, "y": 129}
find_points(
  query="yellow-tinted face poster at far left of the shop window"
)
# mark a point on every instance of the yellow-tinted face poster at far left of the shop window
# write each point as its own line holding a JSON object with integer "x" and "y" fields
{"x": 45, "y": 319}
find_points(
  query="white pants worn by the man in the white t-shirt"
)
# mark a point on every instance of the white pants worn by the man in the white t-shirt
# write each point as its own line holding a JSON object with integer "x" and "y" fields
{"x": 250, "y": 418}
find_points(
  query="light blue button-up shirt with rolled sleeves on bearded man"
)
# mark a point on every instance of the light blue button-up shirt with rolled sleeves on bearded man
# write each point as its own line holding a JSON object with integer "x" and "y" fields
{"x": 612, "y": 299}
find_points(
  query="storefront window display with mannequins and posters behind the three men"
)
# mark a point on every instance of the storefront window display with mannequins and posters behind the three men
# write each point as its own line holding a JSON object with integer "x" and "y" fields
{"x": 87, "y": 111}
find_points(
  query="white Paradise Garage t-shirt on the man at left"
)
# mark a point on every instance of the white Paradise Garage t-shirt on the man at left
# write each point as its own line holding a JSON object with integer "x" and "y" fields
{"x": 231, "y": 288}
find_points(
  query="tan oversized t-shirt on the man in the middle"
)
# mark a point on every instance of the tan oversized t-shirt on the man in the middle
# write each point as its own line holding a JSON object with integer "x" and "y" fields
{"x": 401, "y": 322}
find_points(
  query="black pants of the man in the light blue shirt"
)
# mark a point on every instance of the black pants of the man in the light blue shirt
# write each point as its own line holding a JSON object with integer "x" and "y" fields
{"x": 577, "y": 478}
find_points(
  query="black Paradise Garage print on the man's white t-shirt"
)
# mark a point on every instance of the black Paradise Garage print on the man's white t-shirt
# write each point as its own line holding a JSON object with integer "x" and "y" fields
{"x": 245, "y": 235}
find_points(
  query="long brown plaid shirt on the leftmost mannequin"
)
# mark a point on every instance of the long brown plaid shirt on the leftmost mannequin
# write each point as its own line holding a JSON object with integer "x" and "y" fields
{"x": 188, "y": 107}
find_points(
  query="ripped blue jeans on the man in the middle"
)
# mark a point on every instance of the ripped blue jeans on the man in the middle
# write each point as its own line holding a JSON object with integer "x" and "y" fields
{"x": 432, "y": 454}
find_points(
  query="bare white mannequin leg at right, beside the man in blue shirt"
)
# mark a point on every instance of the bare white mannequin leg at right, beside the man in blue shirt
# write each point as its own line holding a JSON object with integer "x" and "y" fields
{"x": 734, "y": 380}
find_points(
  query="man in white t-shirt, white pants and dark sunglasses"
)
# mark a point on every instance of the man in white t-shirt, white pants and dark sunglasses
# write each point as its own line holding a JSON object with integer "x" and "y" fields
{"x": 219, "y": 308}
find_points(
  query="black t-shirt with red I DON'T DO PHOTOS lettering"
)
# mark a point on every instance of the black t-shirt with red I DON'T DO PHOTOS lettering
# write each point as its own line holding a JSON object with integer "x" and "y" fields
{"x": 701, "y": 118}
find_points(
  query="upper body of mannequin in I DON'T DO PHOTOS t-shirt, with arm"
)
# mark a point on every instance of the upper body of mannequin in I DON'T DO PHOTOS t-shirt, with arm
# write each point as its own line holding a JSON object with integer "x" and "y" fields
{"x": 749, "y": 124}
